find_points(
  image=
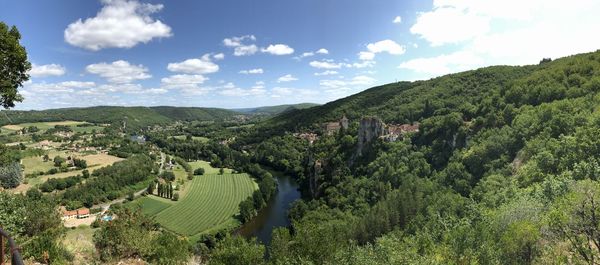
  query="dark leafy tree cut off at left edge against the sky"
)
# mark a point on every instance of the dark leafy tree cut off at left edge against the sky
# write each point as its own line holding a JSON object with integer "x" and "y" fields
{"x": 14, "y": 66}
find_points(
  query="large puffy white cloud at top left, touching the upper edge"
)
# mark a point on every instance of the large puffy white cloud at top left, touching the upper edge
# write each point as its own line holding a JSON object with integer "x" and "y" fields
{"x": 119, "y": 24}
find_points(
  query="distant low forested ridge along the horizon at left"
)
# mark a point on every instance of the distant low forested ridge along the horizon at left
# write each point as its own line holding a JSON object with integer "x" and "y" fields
{"x": 136, "y": 117}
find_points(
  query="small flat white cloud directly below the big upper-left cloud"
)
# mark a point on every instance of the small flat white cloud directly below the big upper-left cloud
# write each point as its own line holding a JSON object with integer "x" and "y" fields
{"x": 119, "y": 71}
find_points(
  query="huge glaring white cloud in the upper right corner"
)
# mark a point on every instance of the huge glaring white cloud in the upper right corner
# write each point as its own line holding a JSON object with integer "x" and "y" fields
{"x": 494, "y": 32}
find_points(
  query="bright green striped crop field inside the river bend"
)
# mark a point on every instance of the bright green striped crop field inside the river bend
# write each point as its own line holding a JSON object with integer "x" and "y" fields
{"x": 210, "y": 203}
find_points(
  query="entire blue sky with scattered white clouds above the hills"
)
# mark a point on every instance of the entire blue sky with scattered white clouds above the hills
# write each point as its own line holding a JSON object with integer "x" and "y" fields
{"x": 241, "y": 54}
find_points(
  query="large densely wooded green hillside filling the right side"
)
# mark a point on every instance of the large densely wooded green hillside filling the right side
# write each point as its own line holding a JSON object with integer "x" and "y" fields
{"x": 503, "y": 170}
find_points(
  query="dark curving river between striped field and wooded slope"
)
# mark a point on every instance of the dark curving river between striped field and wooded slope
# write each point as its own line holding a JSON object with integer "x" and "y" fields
{"x": 275, "y": 214}
